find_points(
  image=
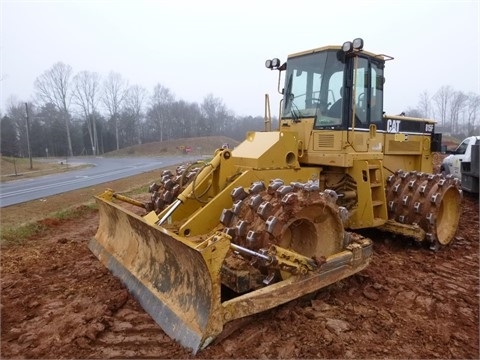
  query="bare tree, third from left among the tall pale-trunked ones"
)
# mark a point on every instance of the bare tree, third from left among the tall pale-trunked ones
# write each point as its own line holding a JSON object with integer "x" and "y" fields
{"x": 114, "y": 93}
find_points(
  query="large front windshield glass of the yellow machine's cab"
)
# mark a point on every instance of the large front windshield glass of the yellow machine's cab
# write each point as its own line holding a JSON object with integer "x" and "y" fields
{"x": 314, "y": 88}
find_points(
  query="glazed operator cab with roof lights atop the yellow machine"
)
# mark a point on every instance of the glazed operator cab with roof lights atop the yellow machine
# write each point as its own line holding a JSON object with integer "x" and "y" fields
{"x": 339, "y": 87}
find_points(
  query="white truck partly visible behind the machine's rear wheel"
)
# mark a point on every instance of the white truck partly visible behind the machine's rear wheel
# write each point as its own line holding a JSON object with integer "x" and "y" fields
{"x": 463, "y": 163}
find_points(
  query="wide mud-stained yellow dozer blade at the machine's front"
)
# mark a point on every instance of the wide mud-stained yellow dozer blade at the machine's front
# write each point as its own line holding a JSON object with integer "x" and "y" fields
{"x": 176, "y": 281}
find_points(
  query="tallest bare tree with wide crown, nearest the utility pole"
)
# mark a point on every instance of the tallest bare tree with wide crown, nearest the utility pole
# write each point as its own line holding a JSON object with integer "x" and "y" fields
{"x": 53, "y": 86}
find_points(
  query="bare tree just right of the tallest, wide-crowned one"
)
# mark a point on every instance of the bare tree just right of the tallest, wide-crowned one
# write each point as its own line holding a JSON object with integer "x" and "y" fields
{"x": 85, "y": 95}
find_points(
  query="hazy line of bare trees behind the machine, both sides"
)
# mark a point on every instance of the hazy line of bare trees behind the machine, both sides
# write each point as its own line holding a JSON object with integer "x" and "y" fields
{"x": 85, "y": 114}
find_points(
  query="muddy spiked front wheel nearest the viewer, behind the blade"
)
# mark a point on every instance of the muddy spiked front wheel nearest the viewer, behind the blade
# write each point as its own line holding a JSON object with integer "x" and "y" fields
{"x": 297, "y": 217}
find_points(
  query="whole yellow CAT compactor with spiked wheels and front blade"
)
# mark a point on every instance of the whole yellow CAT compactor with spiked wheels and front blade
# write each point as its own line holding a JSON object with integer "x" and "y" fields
{"x": 279, "y": 216}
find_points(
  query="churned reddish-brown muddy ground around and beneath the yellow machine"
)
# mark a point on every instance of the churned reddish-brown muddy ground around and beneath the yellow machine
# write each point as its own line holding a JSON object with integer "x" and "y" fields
{"x": 58, "y": 301}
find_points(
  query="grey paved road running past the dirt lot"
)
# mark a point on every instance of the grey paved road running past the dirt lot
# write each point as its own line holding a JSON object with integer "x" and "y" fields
{"x": 103, "y": 170}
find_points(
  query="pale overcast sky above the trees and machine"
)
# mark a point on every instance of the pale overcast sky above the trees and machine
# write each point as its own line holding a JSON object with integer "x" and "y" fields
{"x": 196, "y": 48}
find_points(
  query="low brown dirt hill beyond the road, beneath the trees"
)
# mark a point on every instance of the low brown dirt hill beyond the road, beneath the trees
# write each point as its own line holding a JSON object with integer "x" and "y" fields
{"x": 198, "y": 145}
